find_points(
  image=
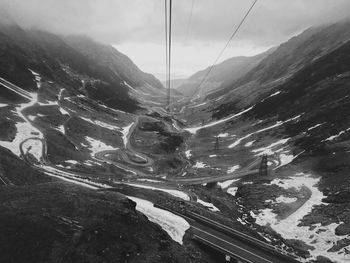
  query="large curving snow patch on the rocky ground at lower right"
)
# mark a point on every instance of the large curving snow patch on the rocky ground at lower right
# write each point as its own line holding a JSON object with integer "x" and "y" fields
{"x": 322, "y": 238}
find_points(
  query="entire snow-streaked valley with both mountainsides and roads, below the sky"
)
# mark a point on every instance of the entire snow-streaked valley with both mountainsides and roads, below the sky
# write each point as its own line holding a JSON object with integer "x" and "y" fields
{"x": 92, "y": 155}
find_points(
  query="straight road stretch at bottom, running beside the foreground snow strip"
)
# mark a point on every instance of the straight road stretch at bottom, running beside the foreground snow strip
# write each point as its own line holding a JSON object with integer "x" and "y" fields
{"x": 231, "y": 242}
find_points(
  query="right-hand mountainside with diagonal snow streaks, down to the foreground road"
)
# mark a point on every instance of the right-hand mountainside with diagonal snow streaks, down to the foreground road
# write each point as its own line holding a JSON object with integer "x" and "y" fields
{"x": 292, "y": 108}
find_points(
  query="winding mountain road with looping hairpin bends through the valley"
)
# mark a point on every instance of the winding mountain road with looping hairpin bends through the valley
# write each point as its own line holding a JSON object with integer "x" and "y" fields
{"x": 204, "y": 230}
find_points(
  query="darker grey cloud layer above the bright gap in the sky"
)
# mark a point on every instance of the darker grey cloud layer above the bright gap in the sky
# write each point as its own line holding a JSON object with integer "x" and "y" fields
{"x": 118, "y": 21}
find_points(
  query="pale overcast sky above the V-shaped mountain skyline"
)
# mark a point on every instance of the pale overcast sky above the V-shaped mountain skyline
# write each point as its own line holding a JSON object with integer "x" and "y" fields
{"x": 136, "y": 27}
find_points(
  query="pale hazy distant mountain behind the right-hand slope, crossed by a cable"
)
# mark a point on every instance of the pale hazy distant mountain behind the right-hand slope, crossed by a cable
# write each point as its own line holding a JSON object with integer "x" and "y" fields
{"x": 228, "y": 70}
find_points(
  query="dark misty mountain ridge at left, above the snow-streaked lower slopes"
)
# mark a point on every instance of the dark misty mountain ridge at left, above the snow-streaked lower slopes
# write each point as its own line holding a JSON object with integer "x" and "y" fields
{"x": 108, "y": 76}
